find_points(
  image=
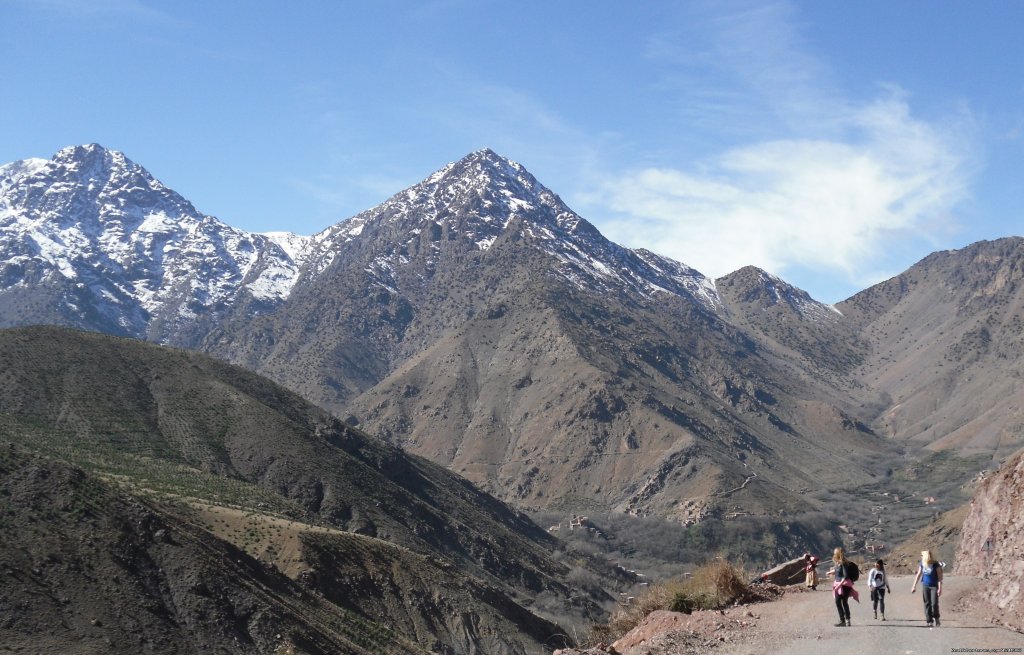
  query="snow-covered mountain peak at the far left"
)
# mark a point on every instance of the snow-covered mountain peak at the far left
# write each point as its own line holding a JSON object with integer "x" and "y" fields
{"x": 122, "y": 247}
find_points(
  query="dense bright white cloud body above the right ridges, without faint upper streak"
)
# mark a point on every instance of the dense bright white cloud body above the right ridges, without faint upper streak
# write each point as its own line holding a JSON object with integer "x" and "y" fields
{"x": 826, "y": 205}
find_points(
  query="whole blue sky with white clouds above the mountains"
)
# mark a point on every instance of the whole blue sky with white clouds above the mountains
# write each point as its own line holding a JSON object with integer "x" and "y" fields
{"x": 833, "y": 144}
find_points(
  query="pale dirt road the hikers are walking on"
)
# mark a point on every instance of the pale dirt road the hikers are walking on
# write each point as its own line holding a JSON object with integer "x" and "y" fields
{"x": 801, "y": 624}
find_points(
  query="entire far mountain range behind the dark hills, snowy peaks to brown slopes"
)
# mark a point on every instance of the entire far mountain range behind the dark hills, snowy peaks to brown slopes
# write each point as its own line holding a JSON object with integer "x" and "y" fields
{"x": 479, "y": 322}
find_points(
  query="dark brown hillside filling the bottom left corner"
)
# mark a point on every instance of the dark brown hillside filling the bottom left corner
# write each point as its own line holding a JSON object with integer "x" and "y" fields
{"x": 88, "y": 570}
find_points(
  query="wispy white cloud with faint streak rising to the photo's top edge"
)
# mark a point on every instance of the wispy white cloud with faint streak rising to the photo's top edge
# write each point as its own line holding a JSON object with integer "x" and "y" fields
{"x": 842, "y": 185}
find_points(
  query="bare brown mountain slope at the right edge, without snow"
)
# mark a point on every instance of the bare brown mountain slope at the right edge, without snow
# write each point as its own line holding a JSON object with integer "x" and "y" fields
{"x": 948, "y": 350}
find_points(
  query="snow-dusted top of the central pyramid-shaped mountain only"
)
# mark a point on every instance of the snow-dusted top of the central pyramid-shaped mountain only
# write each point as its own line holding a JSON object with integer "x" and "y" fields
{"x": 473, "y": 204}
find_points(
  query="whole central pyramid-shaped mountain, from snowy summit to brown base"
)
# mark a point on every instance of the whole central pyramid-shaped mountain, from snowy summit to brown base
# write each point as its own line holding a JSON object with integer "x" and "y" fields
{"x": 478, "y": 321}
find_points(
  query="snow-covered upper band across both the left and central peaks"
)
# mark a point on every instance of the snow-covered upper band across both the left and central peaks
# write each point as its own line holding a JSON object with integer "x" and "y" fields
{"x": 119, "y": 245}
